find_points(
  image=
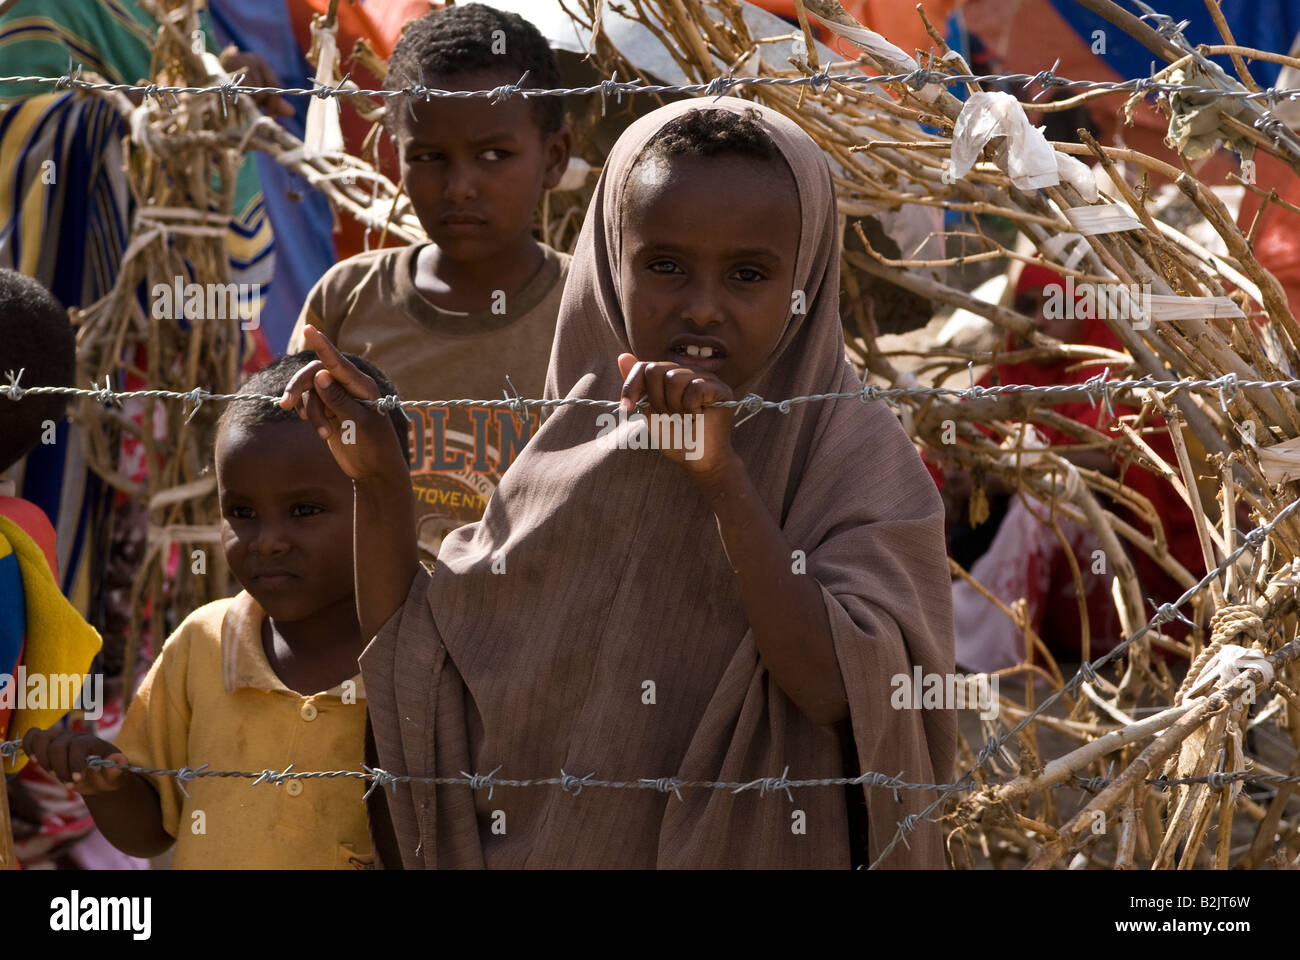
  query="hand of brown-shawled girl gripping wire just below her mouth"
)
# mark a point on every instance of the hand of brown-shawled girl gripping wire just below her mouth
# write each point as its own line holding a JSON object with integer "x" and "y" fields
{"x": 675, "y": 390}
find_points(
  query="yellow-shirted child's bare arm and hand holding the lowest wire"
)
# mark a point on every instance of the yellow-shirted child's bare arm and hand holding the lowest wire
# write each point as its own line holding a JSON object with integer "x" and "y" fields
{"x": 125, "y": 806}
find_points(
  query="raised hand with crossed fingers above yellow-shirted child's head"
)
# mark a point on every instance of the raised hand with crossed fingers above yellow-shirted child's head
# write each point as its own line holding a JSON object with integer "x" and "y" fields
{"x": 326, "y": 392}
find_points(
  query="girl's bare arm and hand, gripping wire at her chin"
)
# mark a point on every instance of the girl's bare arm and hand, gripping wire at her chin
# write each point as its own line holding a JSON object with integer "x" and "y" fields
{"x": 786, "y": 611}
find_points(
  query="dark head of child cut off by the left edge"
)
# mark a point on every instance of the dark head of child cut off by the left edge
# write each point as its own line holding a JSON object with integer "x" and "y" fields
{"x": 36, "y": 338}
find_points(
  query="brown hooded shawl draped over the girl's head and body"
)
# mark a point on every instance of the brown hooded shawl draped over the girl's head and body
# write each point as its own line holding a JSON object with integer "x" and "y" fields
{"x": 616, "y": 574}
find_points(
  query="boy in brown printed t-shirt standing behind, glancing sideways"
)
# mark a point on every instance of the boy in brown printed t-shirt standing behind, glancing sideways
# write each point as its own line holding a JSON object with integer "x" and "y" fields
{"x": 450, "y": 319}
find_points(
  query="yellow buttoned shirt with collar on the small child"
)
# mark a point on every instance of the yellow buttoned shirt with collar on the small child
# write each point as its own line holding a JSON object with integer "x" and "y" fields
{"x": 211, "y": 698}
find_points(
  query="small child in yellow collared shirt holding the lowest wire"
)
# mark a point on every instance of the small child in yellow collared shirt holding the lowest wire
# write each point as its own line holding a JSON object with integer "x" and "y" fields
{"x": 254, "y": 682}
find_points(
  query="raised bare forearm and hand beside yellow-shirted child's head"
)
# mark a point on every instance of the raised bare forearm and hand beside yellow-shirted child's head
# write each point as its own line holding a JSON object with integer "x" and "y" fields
{"x": 384, "y": 543}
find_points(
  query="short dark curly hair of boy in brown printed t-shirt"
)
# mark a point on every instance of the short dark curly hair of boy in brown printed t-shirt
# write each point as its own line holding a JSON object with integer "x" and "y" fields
{"x": 461, "y": 40}
